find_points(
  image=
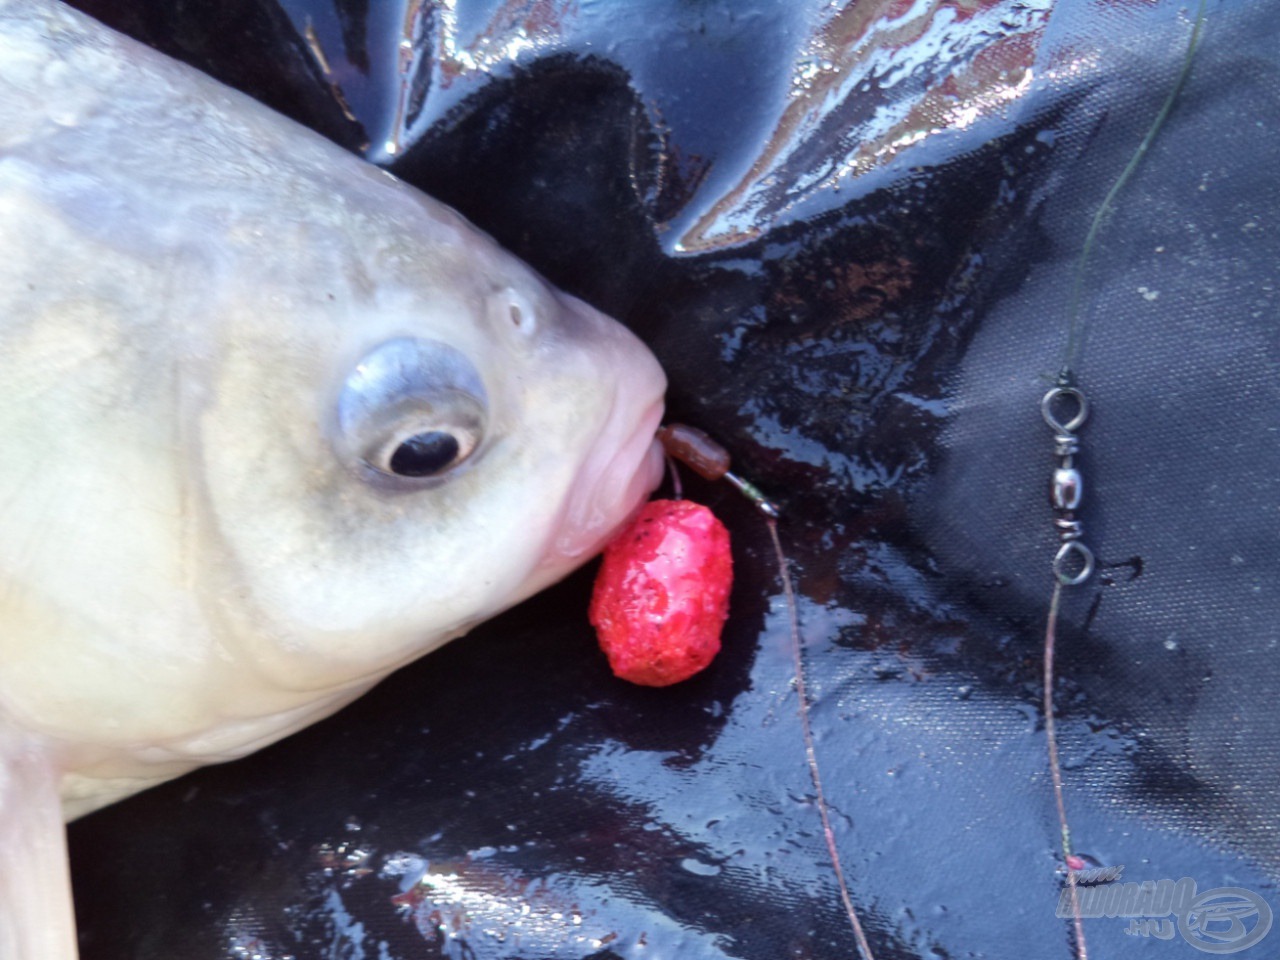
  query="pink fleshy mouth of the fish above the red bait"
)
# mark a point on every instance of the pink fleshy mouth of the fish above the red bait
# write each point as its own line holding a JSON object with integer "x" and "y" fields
{"x": 611, "y": 488}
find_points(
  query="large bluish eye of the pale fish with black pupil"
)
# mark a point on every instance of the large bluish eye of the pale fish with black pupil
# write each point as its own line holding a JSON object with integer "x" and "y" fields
{"x": 413, "y": 410}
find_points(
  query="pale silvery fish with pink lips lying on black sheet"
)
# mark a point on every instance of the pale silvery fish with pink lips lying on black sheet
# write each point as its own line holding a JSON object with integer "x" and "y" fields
{"x": 272, "y": 426}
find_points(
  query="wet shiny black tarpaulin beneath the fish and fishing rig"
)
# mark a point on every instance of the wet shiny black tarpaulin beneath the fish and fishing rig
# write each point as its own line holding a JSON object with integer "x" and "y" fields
{"x": 851, "y": 232}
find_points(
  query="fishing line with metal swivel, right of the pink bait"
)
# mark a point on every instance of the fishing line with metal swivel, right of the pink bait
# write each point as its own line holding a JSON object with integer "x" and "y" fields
{"x": 1066, "y": 409}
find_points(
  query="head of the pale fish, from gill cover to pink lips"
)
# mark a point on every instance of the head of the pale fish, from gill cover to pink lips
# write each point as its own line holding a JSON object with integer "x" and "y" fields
{"x": 436, "y": 437}
